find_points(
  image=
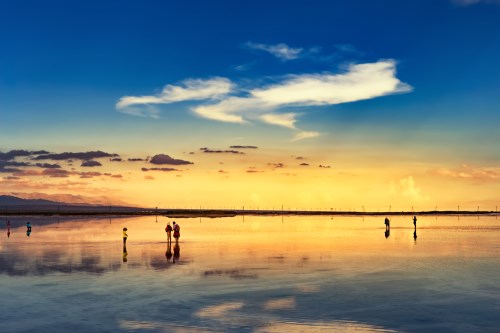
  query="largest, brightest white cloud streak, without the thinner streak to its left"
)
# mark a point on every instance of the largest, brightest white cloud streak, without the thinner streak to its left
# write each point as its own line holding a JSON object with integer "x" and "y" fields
{"x": 359, "y": 82}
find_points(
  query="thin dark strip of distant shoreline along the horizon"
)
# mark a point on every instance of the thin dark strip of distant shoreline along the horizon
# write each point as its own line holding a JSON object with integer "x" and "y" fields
{"x": 214, "y": 213}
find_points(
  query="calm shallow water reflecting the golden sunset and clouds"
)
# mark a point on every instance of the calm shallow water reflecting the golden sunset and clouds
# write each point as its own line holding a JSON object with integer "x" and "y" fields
{"x": 251, "y": 274}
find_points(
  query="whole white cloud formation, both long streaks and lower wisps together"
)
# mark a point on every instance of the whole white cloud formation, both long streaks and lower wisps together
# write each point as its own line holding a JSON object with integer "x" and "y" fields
{"x": 267, "y": 102}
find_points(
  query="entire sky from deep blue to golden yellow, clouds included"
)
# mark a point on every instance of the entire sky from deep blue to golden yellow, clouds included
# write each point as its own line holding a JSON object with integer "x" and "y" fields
{"x": 334, "y": 105}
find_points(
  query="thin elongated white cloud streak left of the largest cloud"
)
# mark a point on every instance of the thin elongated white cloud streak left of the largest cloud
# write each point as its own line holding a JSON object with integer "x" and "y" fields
{"x": 190, "y": 89}
